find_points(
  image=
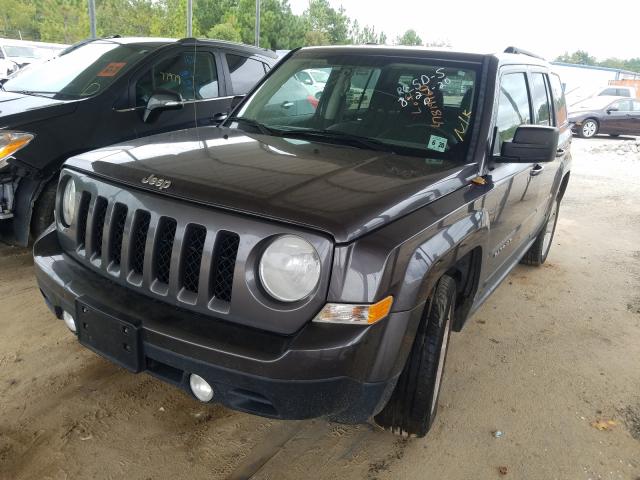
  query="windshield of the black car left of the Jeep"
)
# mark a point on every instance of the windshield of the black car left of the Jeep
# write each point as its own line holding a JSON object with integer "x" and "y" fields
{"x": 83, "y": 72}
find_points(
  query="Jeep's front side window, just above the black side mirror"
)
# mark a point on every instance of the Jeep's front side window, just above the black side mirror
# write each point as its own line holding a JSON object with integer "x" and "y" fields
{"x": 513, "y": 106}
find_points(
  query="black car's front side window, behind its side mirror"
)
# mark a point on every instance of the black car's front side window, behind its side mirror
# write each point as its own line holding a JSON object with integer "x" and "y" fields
{"x": 192, "y": 75}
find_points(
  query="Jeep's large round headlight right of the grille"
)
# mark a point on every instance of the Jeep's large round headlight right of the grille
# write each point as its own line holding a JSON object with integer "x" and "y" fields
{"x": 290, "y": 269}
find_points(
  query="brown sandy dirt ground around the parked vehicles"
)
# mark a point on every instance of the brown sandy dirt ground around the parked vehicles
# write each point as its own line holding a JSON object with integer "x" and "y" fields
{"x": 552, "y": 360}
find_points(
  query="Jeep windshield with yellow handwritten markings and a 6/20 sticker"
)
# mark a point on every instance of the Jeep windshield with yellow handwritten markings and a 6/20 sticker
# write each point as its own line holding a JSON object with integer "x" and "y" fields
{"x": 412, "y": 106}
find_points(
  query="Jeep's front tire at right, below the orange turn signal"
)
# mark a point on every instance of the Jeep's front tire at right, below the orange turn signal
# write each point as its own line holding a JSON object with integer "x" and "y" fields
{"x": 413, "y": 405}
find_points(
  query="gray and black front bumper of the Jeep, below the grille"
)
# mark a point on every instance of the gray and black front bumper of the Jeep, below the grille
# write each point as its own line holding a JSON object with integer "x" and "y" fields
{"x": 344, "y": 371}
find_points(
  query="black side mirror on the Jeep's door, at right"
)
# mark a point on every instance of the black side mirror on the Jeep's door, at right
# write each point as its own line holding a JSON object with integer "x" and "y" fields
{"x": 530, "y": 144}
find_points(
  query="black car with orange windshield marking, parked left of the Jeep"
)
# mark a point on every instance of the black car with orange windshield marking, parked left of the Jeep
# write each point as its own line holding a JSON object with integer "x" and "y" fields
{"x": 103, "y": 91}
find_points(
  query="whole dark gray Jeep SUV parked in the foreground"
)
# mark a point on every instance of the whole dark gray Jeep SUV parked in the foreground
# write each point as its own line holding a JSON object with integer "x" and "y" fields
{"x": 311, "y": 255}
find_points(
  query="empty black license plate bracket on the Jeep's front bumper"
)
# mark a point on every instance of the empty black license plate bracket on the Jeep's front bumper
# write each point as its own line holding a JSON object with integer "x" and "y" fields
{"x": 110, "y": 337}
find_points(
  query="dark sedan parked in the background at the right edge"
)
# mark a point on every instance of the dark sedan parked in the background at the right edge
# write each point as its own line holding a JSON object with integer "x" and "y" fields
{"x": 605, "y": 114}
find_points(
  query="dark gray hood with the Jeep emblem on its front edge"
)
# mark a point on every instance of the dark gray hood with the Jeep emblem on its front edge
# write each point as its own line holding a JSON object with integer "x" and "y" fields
{"x": 341, "y": 190}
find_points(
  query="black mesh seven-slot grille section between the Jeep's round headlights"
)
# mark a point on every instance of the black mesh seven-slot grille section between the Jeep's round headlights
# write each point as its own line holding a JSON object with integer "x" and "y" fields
{"x": 118, "y": 239}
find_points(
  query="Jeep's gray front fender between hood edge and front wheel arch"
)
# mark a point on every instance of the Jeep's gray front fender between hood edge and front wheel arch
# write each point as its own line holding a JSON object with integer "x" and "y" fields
{"x": 406, "y": 257}
